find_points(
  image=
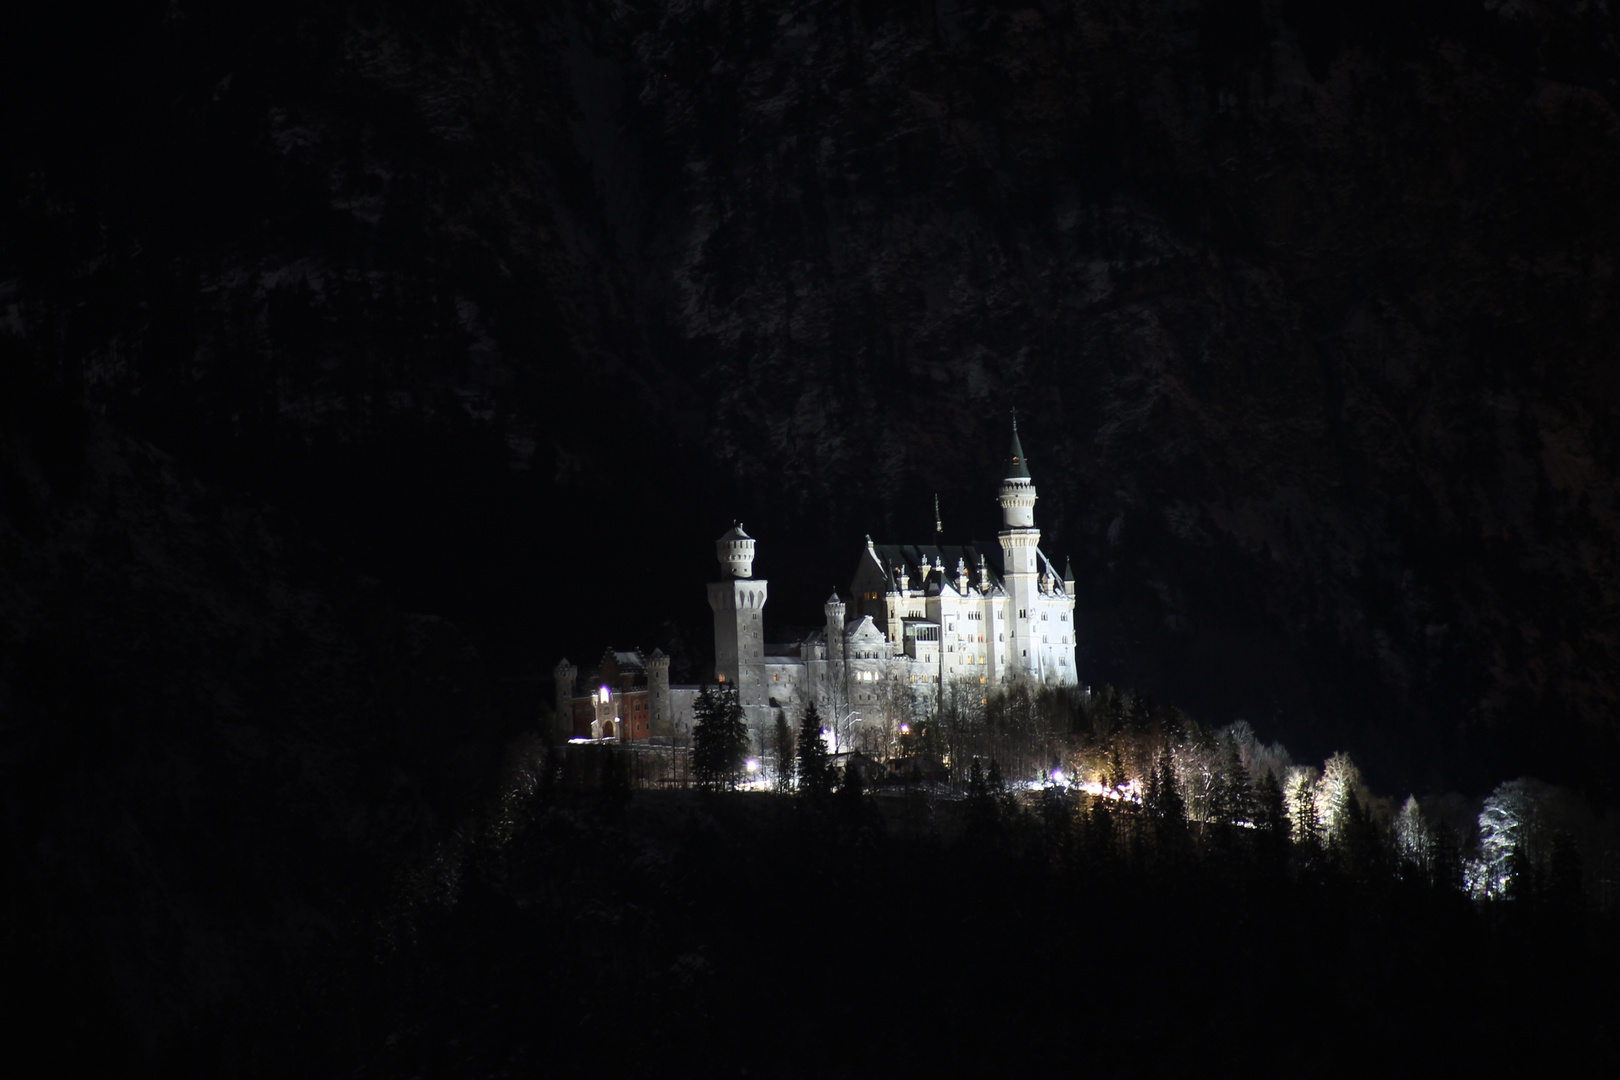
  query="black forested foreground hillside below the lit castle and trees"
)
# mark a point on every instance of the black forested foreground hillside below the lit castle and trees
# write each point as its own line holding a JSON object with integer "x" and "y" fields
{"x": 908, "y": 935}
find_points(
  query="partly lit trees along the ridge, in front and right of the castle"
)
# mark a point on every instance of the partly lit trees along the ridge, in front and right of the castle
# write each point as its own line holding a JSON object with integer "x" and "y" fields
{"x": 1136, "y": 770}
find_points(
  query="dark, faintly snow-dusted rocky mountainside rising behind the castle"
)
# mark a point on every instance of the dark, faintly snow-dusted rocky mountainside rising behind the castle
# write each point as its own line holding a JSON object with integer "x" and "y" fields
{"x": 1307, "y": 307}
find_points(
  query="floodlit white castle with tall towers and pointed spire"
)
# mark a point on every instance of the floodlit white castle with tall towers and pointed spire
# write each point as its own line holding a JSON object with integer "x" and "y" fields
{"x": 923, "y": 621}
